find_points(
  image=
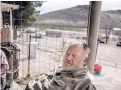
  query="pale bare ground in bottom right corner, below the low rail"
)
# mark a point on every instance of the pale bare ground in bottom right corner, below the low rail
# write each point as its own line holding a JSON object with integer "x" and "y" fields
{"x": 109, "y": 79}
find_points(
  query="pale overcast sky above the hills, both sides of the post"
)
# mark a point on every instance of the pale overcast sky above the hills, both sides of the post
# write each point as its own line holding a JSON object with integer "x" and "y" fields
{"x": 53, "y": 5}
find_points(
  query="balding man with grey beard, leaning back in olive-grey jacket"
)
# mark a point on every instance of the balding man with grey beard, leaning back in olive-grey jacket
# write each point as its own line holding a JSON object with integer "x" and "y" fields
{"x": 74, "y": 74}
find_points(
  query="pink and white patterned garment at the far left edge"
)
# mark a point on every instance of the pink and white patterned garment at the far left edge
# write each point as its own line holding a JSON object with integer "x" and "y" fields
{"x": 4, "y": 65}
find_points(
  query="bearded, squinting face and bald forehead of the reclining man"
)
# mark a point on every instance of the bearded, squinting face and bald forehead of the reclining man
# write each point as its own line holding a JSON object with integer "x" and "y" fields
{"x": 74, "y": 58}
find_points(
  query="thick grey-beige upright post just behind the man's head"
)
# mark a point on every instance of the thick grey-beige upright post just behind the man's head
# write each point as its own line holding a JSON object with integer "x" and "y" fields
{"x": 93, "y": 27}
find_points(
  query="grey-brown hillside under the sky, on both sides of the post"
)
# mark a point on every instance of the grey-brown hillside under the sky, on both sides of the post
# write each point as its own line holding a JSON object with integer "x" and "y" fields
{"x": 78, "y": 17}
